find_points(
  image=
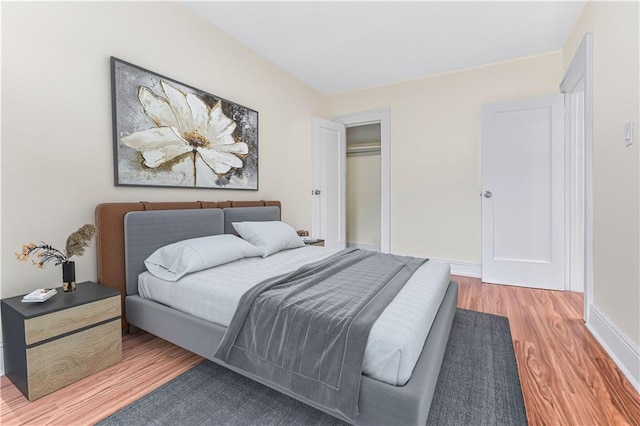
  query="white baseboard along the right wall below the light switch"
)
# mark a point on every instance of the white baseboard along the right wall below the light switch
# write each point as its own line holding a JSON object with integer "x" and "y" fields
{"x": 624, "y": 352}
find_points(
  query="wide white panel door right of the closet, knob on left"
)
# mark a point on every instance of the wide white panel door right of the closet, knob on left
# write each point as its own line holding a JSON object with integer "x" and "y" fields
{"x": 523, "y": 192}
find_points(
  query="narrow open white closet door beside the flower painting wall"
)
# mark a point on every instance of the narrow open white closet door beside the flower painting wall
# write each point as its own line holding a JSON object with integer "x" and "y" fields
{"x": 328, "y": 170}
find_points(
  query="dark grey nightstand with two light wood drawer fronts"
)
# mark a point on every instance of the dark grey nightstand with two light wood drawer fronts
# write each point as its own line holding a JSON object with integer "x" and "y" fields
{"x": 51, "y": 344}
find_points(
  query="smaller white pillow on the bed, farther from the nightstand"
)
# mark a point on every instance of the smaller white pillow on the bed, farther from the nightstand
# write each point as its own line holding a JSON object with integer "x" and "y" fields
{"x": 270, "y": 237}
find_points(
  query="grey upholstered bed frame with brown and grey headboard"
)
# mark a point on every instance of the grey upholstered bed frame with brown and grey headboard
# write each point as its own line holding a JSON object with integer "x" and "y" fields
{"x": 142, "y": 230}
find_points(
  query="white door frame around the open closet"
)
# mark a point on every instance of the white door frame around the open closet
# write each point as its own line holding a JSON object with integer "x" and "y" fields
{"x": 381, "y": 116}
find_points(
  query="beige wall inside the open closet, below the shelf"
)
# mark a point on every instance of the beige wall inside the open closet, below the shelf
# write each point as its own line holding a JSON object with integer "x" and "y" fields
{"x": 363, "y": 199}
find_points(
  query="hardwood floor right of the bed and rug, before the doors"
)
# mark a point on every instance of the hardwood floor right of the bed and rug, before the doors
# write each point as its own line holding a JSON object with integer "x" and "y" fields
{"x": 567, "y": 378}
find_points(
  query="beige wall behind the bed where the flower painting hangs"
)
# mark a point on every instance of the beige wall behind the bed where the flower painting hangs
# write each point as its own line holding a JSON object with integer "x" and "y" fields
{"x": 57, "y": 148}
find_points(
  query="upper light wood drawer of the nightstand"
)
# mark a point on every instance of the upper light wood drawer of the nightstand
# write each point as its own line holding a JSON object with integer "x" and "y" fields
{"x": 54, "y": 324}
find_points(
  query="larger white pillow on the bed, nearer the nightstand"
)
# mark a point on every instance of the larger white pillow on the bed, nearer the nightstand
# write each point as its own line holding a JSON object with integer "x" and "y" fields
{"x": 173, "y": 261}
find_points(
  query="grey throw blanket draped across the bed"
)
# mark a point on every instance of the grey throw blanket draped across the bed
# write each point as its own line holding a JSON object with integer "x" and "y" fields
{"x": 307, "y": 331}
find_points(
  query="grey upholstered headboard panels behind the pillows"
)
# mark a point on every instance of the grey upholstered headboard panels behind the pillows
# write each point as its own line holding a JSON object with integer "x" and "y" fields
{"x": 147, "y": 231}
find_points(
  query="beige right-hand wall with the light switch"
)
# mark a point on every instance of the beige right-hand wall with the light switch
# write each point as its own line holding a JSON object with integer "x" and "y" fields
{"x": 616, "y": 168}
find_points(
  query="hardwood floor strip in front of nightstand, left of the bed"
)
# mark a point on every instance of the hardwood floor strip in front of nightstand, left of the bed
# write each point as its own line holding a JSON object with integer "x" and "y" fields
{"x": 147, "y": 363}
